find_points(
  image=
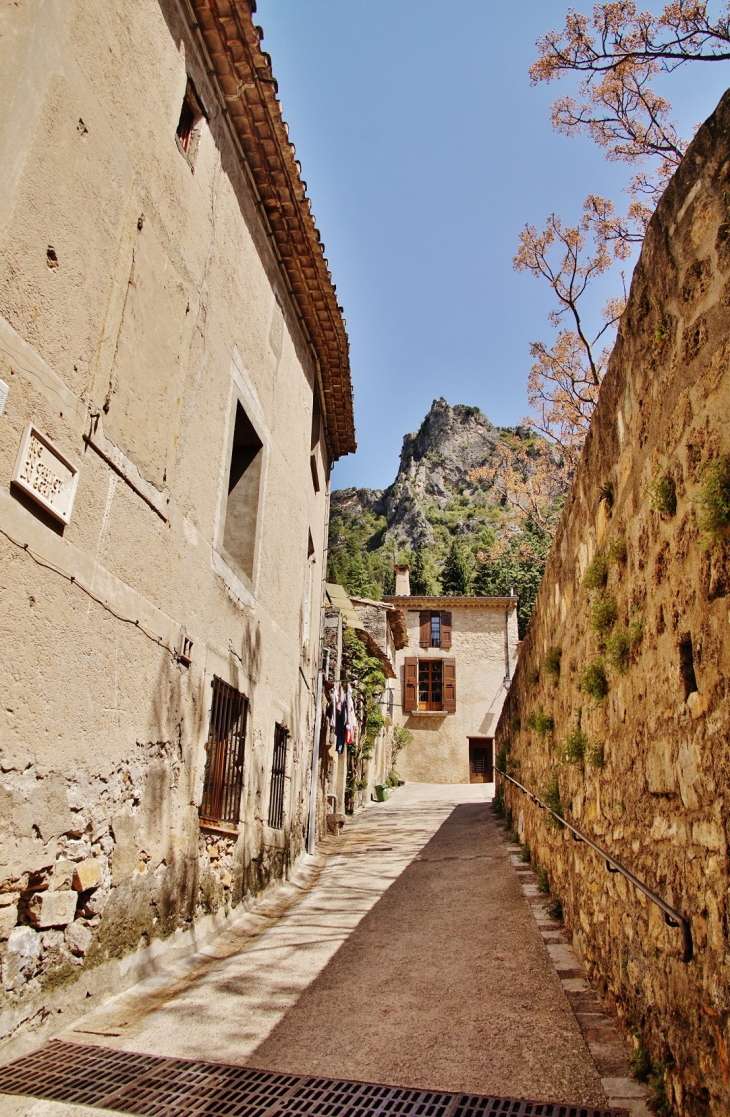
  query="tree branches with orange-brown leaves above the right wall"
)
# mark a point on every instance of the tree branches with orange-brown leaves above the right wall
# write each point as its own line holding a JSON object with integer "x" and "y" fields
{"x": 617, "y": 53}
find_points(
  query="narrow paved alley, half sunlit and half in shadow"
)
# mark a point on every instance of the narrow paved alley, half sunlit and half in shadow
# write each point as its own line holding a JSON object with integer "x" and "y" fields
{"x": 407, "y": 954}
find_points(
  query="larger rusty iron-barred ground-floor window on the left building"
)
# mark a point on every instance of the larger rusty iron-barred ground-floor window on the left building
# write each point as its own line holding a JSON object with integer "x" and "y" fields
{"x": 225, "y": 761}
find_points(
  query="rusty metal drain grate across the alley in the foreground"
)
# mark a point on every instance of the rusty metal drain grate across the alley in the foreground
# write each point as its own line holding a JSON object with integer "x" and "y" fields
{"x": 148, "y": 1086}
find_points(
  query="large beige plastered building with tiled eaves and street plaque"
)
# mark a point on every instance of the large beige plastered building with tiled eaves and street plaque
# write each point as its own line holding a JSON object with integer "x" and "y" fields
{"x": 176, "y": 386}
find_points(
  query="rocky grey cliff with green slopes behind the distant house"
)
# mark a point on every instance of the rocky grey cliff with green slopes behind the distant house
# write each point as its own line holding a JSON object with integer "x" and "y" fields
{"x": 435, "y": 498}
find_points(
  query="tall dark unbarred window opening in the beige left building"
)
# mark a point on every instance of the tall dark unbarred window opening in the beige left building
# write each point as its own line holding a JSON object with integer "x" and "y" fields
{"x": 244, "y": 485}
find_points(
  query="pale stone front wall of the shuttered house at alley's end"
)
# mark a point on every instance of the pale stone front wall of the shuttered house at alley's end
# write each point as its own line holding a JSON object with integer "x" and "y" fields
{"x": 439, "y": 752}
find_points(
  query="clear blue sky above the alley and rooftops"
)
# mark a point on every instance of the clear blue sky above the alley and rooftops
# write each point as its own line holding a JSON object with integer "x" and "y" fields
{"x": 426, "y": 151}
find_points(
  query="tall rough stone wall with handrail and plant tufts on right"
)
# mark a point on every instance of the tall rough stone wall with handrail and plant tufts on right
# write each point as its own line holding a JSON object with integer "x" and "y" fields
{"x": 660, "y": 801}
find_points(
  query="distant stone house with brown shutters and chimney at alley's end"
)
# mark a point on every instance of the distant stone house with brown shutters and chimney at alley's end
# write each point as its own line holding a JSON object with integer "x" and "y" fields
{"x": 454, "y": 670}
